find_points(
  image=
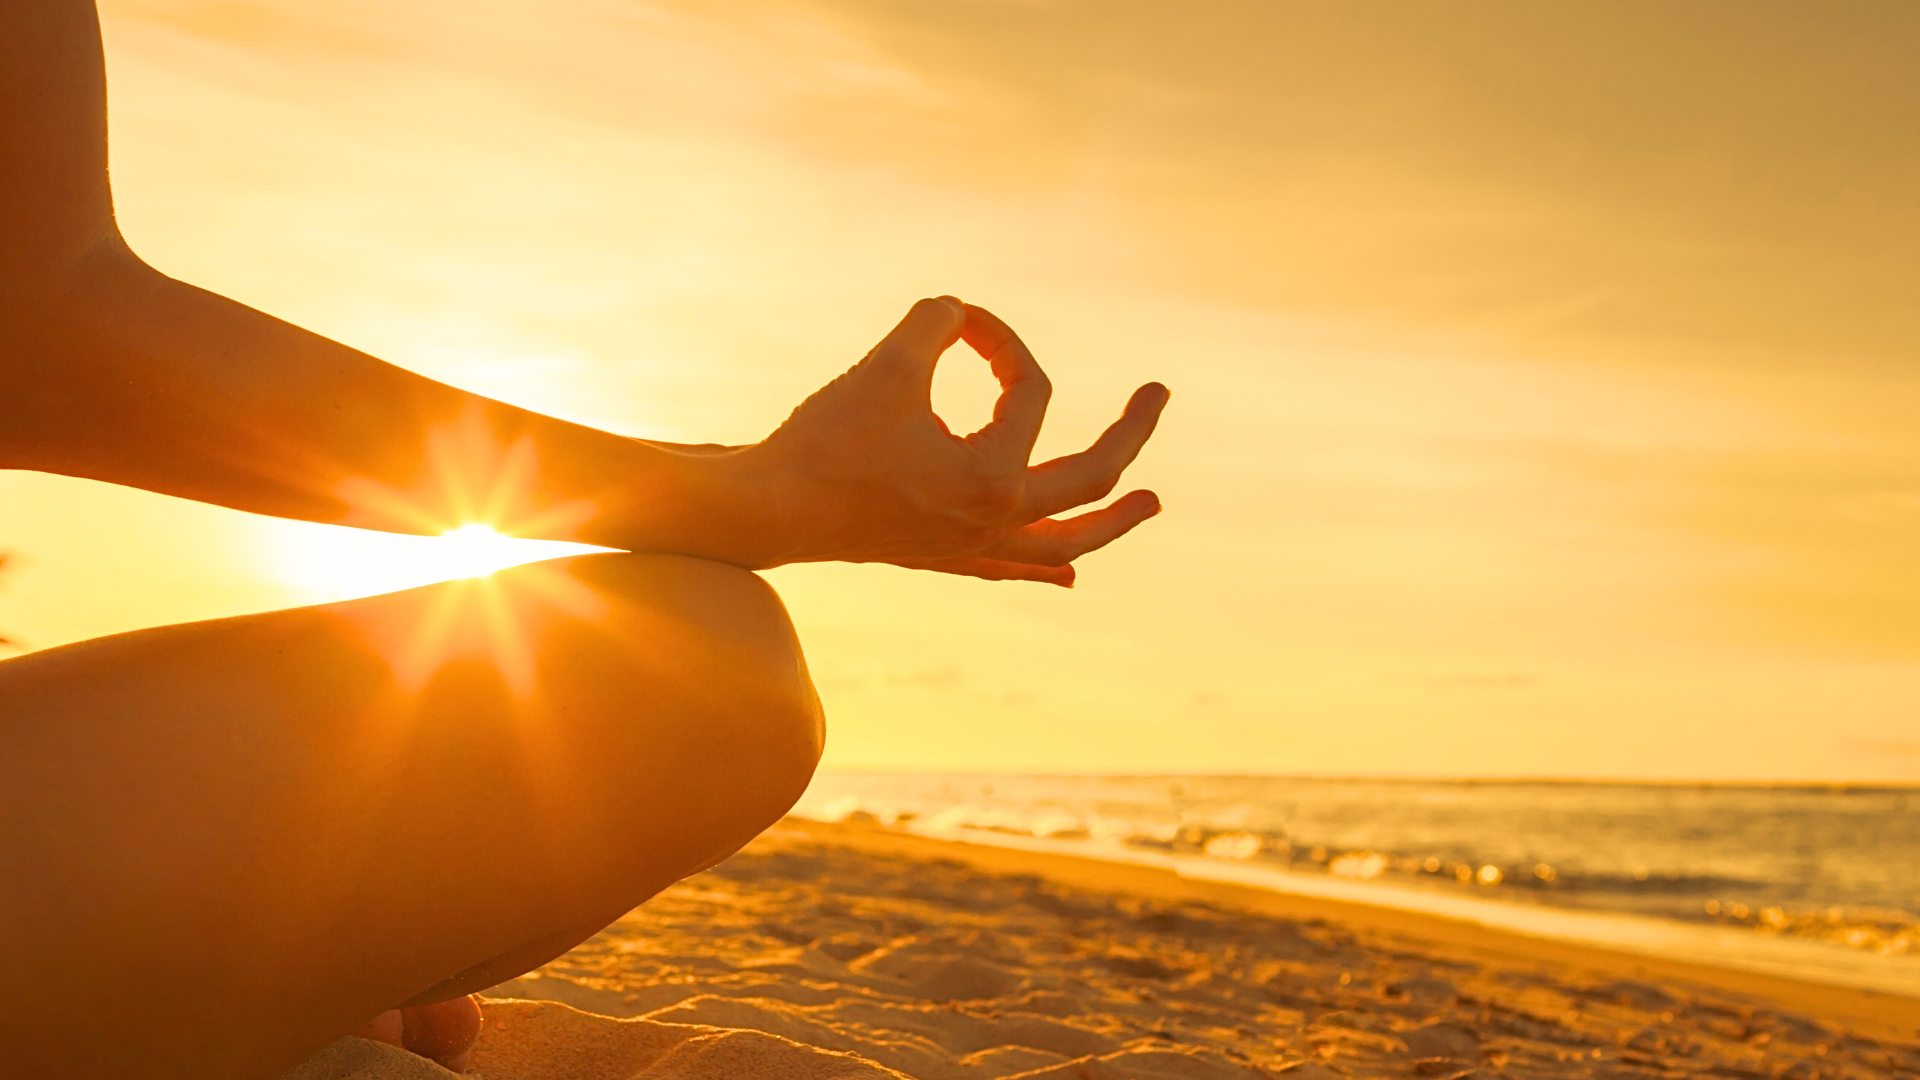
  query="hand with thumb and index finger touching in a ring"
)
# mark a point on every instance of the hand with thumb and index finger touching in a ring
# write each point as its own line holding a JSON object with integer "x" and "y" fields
{"x": 867, "y": 472}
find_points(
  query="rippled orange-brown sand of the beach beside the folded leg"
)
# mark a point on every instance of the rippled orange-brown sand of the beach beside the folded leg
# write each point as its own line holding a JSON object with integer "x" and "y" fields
{"x": 855, "y": 952}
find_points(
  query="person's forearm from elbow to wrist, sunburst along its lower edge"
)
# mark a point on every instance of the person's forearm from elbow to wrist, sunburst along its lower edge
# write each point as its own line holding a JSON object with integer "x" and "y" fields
{"x": 114, "y": 372}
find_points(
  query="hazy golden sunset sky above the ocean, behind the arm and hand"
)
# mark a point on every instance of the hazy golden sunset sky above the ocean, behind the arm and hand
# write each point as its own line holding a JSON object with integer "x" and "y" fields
{"x": 1547, "y": 378}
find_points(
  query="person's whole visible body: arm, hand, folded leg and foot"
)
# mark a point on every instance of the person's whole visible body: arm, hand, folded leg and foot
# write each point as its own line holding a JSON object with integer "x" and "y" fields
{"x": 226, "y": 845}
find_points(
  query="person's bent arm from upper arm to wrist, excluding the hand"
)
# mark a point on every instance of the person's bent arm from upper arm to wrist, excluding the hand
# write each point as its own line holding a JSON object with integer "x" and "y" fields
{"x": 114, "y": 372}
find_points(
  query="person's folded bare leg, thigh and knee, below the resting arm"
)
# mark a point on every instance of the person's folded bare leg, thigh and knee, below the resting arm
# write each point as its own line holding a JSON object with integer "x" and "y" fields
{"x": 224, "y": 845}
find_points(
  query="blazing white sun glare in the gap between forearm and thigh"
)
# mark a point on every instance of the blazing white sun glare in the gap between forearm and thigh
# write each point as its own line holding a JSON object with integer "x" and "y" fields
{"x": 329, "y": 562}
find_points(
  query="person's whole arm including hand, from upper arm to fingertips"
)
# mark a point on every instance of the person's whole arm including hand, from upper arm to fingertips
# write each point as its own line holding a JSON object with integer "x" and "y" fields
{"x": 114, "y": 372}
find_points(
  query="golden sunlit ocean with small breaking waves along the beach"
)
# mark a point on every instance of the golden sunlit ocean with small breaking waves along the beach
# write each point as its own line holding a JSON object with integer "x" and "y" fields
{"x": 1812, "y": 881}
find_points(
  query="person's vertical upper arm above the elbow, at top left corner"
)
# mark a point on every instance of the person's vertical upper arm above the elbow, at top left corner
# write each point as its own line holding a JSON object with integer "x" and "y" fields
{"x": 55, "y": 203}
